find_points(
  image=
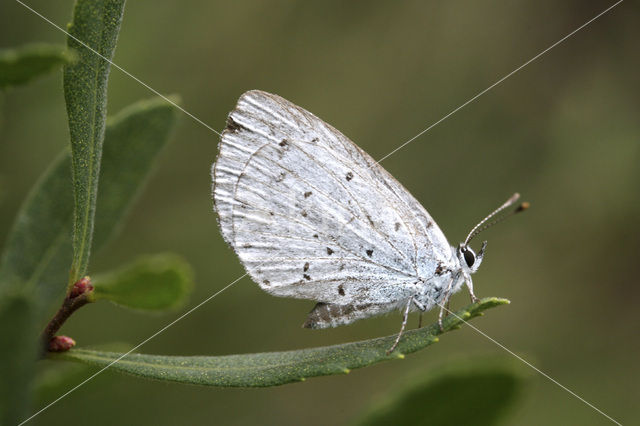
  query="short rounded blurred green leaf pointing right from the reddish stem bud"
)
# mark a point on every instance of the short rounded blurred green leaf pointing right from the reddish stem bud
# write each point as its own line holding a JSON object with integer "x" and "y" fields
{"x": 156, "y": 282}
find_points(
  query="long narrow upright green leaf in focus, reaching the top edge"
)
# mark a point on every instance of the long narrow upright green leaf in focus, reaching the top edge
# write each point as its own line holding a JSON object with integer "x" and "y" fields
{"x": 96, "y": 24}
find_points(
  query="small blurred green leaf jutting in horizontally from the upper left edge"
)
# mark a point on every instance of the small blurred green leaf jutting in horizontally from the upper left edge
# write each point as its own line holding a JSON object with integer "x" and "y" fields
{"x": 23, "y": 64}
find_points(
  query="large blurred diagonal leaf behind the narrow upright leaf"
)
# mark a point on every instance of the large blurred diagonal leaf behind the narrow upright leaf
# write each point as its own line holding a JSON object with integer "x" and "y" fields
{"x": 38, "y": 248}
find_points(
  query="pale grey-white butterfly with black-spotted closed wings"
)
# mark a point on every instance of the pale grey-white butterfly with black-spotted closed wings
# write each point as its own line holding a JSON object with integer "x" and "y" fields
{"x": 313, "y": 216}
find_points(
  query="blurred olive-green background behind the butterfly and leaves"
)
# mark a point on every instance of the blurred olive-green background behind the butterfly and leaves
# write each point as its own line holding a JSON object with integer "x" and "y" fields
{"x": 564, "y": 132}
